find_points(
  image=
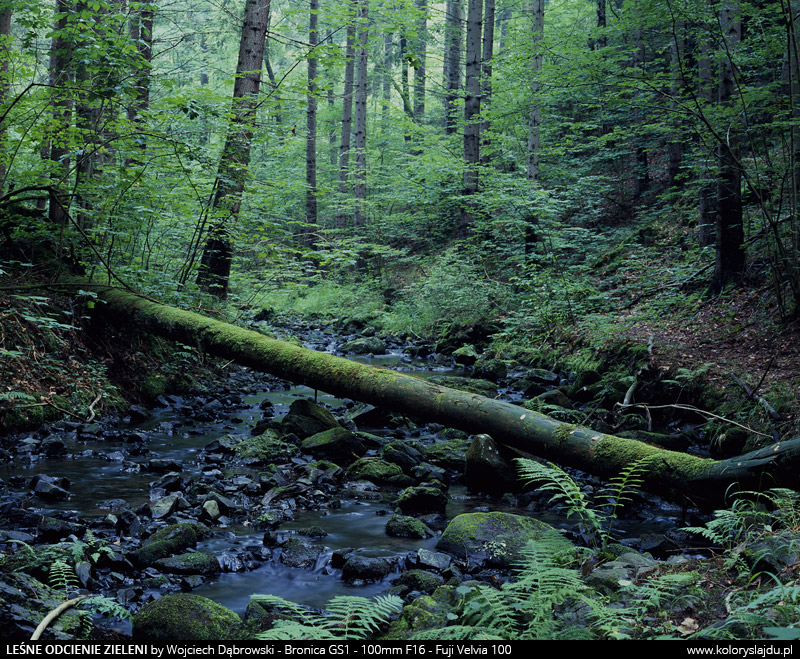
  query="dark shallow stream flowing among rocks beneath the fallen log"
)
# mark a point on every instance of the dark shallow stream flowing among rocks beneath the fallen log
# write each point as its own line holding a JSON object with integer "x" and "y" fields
{"x": 102, "y": 471}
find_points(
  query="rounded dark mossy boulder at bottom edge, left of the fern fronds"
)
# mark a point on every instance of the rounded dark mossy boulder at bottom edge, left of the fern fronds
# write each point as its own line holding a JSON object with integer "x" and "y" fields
{"x": 185, "y": 617}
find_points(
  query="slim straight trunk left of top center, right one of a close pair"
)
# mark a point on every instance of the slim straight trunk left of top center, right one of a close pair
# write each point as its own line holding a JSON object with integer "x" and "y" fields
{"x": 360, "y": 134}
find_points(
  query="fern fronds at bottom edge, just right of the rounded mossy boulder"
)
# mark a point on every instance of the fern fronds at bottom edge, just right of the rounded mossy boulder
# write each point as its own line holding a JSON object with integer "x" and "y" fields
{"x": 346, "y": 618}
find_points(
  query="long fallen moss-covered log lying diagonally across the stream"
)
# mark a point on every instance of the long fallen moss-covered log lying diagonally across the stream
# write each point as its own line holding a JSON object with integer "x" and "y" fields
{"x": 677, "y": 475}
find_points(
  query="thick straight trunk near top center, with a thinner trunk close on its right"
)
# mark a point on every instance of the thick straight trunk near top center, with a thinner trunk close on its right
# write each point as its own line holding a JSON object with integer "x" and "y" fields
{"x": 472, "y": 103}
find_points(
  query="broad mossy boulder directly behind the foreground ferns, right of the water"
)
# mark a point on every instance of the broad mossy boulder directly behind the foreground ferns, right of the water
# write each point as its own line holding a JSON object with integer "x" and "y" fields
{"x": 496, "y": 539}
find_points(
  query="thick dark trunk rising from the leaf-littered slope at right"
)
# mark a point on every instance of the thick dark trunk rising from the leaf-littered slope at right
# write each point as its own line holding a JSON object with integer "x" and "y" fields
{"x": 730, "y": 256}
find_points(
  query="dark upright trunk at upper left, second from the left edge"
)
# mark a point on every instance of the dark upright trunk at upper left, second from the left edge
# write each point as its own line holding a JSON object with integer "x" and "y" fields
{"x": 61, "y": 50}
